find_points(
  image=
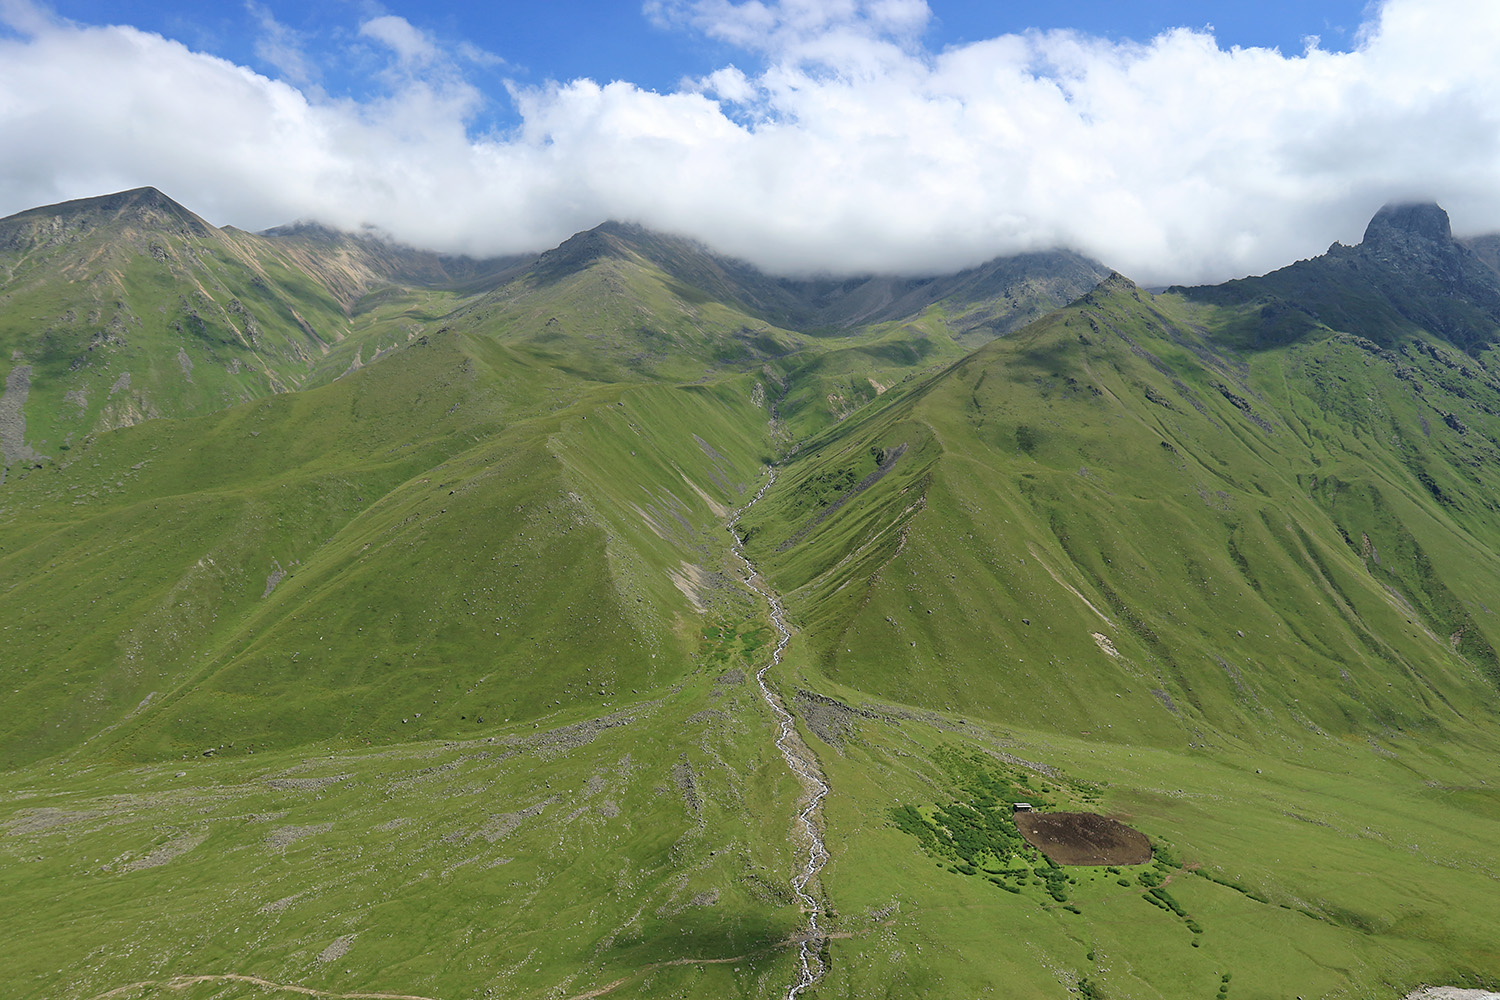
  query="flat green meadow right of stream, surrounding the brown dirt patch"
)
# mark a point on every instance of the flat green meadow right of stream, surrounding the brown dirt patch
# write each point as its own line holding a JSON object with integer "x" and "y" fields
{"x": 1342, "y": 870}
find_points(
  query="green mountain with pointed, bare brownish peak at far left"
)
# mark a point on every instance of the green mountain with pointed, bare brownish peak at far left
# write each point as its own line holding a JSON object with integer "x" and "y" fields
{"x": 125, "y": 308}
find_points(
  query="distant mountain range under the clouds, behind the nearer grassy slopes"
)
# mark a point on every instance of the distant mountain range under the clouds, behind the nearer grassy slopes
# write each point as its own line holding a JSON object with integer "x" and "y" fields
{"x": 131, "y": 307}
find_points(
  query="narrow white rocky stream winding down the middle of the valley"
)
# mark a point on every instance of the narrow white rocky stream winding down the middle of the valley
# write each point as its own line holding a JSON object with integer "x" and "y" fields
{"x": 799, "y": 759}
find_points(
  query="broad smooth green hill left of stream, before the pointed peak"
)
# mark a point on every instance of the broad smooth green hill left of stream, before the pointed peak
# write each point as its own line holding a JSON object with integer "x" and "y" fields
{"x": 338, "y": 561}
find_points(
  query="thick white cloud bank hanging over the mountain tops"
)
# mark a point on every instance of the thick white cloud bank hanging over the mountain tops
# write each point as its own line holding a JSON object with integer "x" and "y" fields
{"x": 853, "y": 151}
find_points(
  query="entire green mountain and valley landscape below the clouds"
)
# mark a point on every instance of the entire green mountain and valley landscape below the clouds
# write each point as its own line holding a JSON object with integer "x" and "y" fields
{"x": 623, "y": 621}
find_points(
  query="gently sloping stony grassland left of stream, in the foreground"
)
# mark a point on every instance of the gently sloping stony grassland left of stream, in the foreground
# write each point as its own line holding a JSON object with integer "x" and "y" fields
{"x": 646, "y": 848}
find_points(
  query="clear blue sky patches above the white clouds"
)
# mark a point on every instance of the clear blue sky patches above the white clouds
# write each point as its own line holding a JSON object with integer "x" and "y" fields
{"x": 608, "y": 41}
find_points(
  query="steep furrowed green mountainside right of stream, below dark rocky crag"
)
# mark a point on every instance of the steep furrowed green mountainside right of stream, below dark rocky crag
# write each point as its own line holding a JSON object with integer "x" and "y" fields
{"x": 1108, "y": 524}
